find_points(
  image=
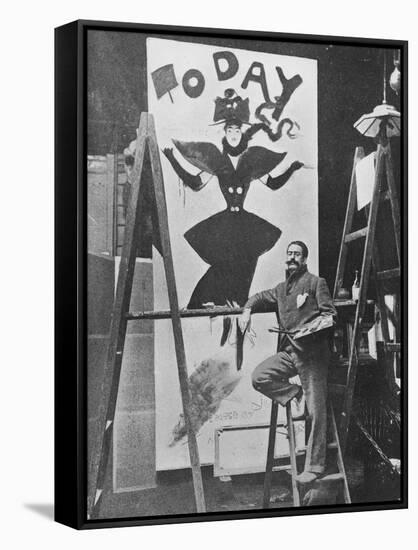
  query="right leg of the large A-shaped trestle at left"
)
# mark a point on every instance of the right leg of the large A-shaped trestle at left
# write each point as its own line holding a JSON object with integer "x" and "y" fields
{"x": 162, "y": 215}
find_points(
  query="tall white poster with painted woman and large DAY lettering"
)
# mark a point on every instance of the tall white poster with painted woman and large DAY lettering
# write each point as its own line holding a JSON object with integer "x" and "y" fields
{"x": 237, "y": 130}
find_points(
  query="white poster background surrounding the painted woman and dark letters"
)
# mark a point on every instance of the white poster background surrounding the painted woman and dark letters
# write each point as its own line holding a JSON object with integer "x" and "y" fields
{"x": 293, "y": 209}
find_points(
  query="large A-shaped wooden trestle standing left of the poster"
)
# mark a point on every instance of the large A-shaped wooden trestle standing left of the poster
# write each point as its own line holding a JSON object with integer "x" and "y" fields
{"x": 146, "y": 140}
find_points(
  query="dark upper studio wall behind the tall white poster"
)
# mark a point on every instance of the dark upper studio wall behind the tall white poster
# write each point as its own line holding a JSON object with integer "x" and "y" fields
{"x": 349, "y": 85}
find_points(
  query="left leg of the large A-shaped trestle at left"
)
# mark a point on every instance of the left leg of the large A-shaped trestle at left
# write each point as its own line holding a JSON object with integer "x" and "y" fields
{"x": 109, "y": 389}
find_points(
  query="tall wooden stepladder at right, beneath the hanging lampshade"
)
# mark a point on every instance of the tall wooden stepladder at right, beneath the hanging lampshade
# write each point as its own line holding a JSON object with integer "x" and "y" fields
{"x": 370, "y": 261}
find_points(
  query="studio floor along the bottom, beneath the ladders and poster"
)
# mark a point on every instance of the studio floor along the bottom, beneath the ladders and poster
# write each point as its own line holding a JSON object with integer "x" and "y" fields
{"x": 173, "y": 494}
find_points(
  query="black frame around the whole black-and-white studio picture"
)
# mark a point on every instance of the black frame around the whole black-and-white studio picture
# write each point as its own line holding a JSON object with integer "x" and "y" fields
{"x": 71, "y": 269}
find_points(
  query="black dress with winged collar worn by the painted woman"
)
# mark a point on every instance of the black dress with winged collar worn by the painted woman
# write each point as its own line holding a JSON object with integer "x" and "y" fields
{"x": 232, "y": 240}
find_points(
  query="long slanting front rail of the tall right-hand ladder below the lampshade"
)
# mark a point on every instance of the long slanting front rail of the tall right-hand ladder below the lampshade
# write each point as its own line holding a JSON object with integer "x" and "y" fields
{"x": 364, "y": 279}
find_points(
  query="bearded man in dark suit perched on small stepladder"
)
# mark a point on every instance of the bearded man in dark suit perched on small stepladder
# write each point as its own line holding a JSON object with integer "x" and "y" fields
{"x": 301, "y": 302}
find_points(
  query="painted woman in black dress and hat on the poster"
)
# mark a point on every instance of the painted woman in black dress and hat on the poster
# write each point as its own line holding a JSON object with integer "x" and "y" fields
{"x": 232, "y": 240}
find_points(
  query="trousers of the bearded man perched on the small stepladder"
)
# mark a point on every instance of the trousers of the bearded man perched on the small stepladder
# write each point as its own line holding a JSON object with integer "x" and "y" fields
{"x": 271, "y": 377}
